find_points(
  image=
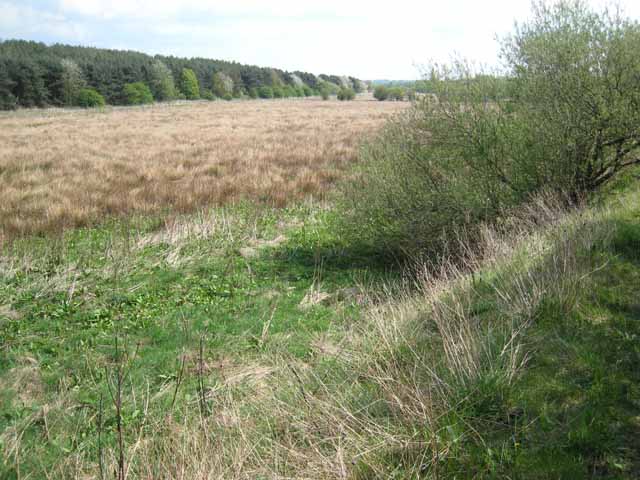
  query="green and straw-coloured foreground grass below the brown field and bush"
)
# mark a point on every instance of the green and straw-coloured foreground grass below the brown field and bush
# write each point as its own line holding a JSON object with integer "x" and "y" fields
{"x": 572, "y": 411}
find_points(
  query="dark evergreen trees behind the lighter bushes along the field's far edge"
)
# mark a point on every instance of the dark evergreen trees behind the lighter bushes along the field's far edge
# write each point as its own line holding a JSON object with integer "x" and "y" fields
{"x": 33, "y": 74}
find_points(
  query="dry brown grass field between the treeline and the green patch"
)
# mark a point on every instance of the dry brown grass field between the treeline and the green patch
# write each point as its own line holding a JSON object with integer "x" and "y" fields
{"x": 66, "y": 168}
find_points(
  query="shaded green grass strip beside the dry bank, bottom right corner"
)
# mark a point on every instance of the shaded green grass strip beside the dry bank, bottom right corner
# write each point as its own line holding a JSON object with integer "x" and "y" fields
{"x": 574, "y": 412}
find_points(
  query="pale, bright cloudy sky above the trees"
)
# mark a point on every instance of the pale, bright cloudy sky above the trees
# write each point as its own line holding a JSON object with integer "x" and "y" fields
{"x": 390, "y": 39}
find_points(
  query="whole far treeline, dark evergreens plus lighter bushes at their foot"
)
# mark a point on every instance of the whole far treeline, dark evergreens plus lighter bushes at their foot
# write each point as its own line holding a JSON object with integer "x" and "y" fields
{"x": 33, "y": 74}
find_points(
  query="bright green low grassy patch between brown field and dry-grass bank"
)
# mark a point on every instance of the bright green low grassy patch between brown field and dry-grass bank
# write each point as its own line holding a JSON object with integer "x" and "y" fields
{"x": 66, "y": 300}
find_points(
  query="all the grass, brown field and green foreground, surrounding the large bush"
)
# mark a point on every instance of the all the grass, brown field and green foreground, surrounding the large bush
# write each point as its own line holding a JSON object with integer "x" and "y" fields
{"x": 249, "y": 340}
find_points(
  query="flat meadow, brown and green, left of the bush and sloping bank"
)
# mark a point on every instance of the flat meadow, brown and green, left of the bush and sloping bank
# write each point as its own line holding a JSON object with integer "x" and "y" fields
{"x": 196, "y": 241}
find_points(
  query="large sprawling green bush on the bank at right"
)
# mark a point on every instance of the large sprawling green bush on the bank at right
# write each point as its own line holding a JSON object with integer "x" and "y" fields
{"x": 469, "y": 151}
